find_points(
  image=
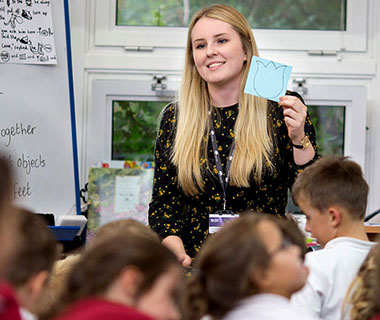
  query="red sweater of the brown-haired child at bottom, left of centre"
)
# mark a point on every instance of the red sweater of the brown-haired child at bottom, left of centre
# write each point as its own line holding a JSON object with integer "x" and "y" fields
{"x": 100, "y": 309}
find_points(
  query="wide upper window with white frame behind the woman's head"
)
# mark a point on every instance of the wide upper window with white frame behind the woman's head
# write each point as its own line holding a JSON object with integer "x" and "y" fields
{"x": 347, "y": 32}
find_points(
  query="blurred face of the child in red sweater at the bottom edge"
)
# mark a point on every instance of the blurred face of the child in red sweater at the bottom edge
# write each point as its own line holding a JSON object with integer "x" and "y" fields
{"x": 161, "y": 301}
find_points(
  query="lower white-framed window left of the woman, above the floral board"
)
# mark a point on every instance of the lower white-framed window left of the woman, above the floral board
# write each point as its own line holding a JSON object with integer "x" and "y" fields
{"x": 124, "y": 118}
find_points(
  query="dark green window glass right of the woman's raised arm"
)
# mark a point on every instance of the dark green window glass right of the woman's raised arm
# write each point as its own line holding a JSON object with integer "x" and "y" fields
{"x": 329, "y": 122}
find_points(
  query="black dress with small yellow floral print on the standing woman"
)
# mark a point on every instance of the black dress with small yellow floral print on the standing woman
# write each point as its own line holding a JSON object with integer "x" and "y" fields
{"x": 171, "y": 212}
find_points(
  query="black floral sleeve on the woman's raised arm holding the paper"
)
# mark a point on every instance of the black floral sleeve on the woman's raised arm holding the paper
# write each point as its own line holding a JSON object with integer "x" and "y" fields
{"x": 284, "y": 144}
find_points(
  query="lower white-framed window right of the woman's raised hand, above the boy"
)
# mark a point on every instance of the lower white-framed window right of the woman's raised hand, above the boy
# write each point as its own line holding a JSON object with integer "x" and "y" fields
{"x": 339, "y": 115}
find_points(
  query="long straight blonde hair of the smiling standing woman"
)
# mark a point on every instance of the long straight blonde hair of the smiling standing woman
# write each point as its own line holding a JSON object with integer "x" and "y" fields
{"x": 253, "y": 142}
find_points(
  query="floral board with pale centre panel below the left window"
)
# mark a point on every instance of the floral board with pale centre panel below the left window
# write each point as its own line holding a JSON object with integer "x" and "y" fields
{"x": 118, "y": 193}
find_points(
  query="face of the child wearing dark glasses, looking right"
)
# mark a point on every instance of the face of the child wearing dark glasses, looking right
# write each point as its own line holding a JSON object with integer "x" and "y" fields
{"x": 286, "y": 273}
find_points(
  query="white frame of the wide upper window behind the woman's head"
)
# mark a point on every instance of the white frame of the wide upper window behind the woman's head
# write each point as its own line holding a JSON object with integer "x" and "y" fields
{"x": 351, "y": 40}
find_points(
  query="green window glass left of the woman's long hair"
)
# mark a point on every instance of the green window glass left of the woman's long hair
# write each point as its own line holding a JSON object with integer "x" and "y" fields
{"x": 134, "y": 129}
